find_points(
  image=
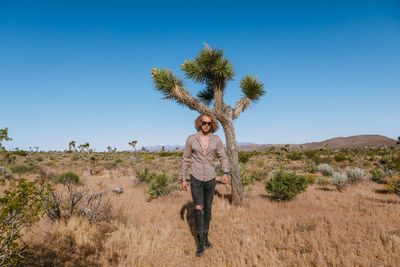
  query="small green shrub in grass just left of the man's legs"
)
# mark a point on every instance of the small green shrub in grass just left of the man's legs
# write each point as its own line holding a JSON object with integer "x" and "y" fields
{"x": 161, "y": 185}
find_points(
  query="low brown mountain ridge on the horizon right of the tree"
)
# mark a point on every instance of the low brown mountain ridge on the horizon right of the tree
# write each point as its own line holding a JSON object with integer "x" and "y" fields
{"x": 360, "y": 141}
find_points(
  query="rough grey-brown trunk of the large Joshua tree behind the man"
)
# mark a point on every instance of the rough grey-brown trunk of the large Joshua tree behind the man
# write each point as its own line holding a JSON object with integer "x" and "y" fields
{"x": 232, "y": 154}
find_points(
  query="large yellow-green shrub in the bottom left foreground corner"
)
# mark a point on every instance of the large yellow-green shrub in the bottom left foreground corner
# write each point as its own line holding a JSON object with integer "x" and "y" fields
{"x": 21, "y": 205}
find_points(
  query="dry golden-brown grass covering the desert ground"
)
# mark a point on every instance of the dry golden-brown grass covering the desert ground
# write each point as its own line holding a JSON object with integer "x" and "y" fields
{"x": 359, "y": 226}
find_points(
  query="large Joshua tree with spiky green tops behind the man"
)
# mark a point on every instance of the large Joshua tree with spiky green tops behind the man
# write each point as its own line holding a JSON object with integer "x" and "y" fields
{"x": 213, "y": 70}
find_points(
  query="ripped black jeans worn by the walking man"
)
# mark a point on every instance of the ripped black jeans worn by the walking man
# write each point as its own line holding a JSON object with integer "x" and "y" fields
{"x": 202, "y": 194}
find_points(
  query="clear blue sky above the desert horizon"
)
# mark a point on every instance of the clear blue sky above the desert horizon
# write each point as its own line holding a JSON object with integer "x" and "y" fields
{"x": 80, "y": 70}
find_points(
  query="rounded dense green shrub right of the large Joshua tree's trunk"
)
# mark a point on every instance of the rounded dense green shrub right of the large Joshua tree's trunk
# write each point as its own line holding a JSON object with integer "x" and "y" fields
{"x": 286, "y": 185}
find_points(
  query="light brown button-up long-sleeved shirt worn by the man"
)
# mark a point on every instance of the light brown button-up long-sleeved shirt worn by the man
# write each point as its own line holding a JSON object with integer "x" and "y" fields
{"x": 203, "y": 167}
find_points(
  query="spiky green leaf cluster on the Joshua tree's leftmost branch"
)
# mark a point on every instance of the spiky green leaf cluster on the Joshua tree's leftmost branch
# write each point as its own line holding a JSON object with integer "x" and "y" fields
{"x": 165, "y": 80}
